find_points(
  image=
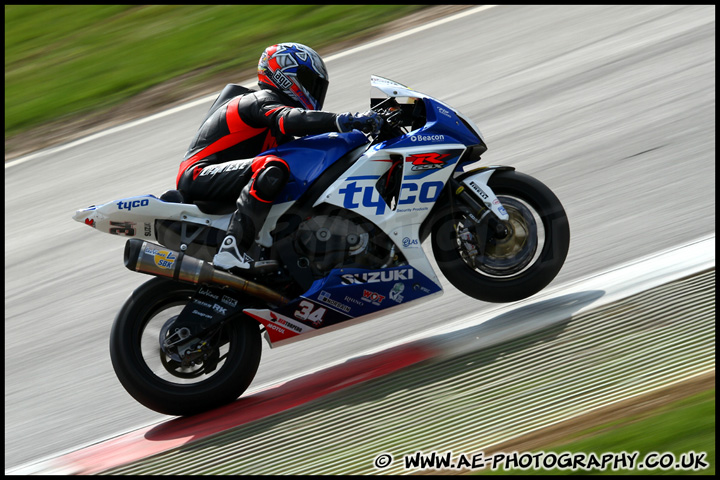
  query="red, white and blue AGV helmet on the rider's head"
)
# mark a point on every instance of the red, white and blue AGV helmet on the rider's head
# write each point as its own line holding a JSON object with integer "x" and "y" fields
{"x": 295, "y": 70}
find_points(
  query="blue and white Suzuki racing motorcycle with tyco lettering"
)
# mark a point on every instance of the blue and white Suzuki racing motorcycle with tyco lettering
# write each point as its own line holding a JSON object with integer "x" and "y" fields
{"x": 343, "y": 243}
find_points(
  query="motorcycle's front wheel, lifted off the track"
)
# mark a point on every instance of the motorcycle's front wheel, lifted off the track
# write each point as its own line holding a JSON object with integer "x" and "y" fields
{"x": 503, "y": 261}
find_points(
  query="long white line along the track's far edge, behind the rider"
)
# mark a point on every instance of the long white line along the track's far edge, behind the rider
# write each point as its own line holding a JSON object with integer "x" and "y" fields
{"x": 249, "y": 83}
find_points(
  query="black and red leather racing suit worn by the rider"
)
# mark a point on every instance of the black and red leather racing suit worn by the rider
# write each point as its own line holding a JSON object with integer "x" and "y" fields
{"x": 222, "y": 163}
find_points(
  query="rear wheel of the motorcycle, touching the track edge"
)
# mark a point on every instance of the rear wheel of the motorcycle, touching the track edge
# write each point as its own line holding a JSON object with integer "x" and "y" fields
{"x": 157, "y": 379}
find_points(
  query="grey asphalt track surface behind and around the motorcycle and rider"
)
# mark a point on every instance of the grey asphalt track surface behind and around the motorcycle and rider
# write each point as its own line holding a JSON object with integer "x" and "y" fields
{"x": 613, "y": 107}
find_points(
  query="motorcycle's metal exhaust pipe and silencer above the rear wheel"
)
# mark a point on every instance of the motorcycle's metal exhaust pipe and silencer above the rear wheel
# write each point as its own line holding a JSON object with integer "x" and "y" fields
{"x": 153, "y": 259}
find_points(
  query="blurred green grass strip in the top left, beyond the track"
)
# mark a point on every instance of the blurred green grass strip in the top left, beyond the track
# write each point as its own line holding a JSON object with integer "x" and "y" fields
{"x": 67, "y": 59}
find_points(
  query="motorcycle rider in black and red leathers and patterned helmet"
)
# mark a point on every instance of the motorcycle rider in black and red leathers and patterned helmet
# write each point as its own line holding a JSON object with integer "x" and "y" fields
{"x": 218, "y": 166}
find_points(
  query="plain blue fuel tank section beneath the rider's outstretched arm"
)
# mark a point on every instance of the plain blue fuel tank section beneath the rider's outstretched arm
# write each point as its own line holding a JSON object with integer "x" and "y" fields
{"x": 309, "y": 156}
